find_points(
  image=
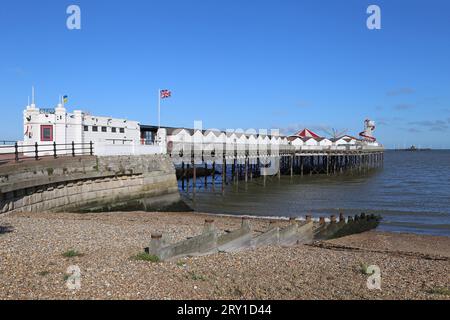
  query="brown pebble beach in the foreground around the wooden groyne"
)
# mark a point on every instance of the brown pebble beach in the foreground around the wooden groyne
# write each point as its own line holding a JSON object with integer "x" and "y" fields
{"x": 34, "y": 263}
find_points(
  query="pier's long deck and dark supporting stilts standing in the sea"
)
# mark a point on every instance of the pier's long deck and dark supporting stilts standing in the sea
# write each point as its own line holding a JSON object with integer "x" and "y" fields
{"x": 244, "y": 163}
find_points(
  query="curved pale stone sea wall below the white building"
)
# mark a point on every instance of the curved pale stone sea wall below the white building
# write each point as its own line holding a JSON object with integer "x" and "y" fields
{"x": 75, "y": 183}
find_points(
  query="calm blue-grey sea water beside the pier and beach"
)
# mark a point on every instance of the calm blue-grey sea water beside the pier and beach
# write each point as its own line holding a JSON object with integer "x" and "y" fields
{"x": 411, "y": 192}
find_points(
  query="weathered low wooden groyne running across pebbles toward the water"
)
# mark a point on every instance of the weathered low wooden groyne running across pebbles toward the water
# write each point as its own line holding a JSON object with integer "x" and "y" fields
{"x": 304, "y": 231}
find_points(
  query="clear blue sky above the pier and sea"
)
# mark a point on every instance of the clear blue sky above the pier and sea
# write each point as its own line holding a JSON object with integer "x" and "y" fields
{"x": 235, "y": 64}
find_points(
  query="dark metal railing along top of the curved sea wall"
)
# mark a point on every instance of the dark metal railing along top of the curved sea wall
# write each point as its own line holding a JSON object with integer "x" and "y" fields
{"x": 15, "y": 152}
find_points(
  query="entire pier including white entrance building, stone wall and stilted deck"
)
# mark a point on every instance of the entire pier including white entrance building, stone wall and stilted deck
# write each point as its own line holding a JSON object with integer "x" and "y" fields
{"x": 69, "y": 161}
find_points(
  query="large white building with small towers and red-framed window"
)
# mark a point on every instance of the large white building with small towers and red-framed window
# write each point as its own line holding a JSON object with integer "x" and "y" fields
{"x": 110, "y": 136}
